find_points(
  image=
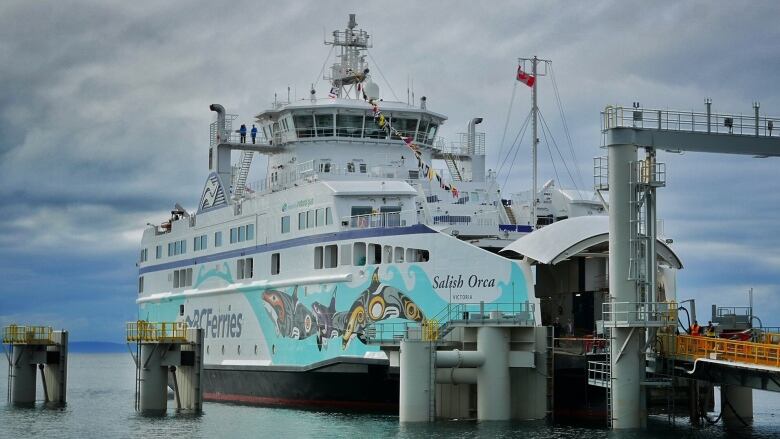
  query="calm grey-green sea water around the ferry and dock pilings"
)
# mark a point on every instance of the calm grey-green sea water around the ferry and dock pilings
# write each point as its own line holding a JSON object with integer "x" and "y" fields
{"x": 100, "y": 404}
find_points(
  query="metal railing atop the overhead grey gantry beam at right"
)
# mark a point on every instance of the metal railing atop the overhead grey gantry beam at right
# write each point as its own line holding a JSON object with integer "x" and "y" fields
{"x": 621, "y": 117}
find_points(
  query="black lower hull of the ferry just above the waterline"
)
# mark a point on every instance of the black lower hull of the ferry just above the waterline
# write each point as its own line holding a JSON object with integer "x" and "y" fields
{"x": 365, "y": 386}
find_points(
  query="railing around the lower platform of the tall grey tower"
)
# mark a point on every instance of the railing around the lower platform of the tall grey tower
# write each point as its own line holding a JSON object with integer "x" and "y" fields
{"x": 639, "y": 313}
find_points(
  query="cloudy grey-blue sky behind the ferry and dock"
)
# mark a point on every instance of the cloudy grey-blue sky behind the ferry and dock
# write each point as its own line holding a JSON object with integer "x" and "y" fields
{"x": 104, "y": 120}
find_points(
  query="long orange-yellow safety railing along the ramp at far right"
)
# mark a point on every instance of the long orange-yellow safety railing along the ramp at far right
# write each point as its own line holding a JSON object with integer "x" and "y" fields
{"x": 691, "y": 348}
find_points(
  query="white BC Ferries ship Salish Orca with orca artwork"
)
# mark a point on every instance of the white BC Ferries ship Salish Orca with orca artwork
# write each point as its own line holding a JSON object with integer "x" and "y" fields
{"x": 352, "y": 225}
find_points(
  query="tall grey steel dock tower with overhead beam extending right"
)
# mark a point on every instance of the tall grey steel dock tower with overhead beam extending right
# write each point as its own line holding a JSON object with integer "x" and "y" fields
{"x": 632, "y": 233}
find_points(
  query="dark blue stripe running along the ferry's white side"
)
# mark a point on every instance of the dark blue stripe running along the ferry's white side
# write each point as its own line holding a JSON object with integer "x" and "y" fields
{"x": 295, "y": 242}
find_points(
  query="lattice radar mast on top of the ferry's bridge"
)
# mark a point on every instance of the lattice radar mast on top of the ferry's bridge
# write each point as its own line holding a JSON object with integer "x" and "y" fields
{"x": 350, "y": 69}
